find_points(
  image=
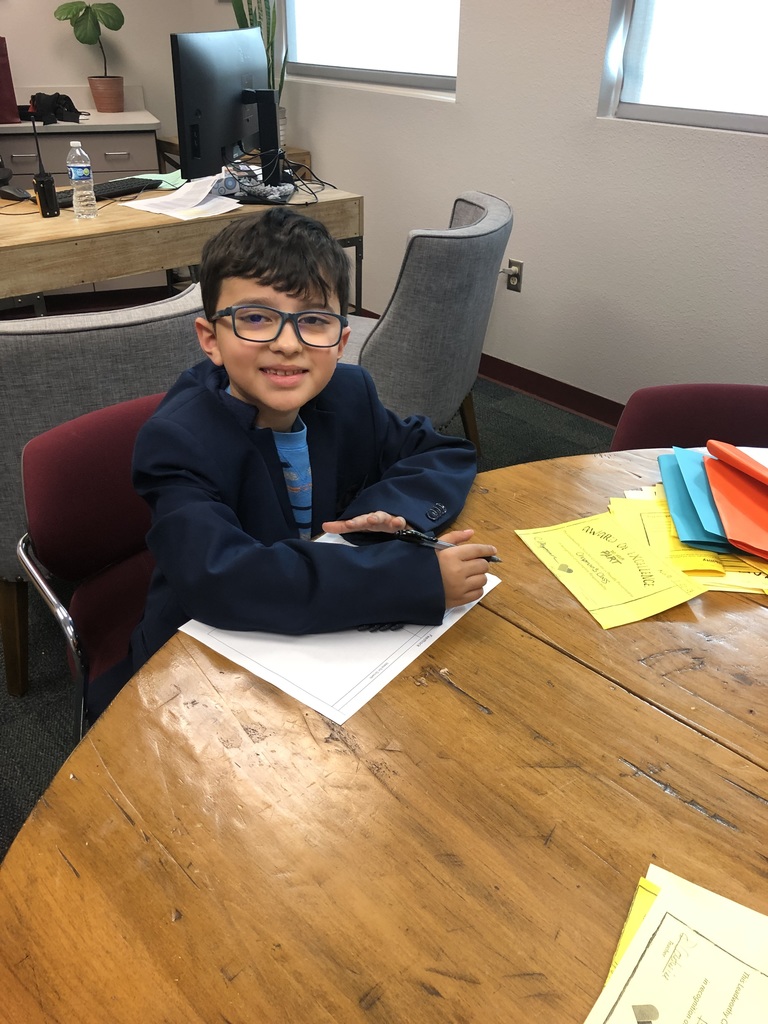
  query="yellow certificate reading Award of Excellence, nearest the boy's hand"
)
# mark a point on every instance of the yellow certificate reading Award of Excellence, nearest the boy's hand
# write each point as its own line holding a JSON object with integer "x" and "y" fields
{"x": 617, "y": 579}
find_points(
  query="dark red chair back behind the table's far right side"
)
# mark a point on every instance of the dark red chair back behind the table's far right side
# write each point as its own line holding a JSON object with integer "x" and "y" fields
{"x": 691, "y": 415}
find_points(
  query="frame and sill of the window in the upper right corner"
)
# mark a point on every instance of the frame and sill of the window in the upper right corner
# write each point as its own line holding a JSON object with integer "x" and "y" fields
{"x": 611, "y": 104}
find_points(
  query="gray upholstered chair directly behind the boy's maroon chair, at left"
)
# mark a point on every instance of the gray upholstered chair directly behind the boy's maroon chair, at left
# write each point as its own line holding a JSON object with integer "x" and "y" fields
{"x": 54, "y": 369}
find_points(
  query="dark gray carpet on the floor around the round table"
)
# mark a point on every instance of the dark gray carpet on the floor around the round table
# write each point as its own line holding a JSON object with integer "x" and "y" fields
{"x": 35, "y": 731}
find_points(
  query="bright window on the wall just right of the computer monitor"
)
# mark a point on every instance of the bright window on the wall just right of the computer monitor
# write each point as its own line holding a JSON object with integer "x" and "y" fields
{"x": 401, "y": 42}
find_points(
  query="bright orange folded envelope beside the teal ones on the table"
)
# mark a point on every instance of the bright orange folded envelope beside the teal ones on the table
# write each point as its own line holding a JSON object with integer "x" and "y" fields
{"x": 740, "y": 487}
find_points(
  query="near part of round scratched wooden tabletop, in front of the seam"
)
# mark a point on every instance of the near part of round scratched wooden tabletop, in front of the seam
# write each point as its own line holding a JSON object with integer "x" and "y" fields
{"x": 465, "y": 848}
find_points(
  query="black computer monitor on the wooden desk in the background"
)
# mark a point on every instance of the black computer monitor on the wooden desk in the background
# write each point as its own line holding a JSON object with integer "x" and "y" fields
{"x": 223, "y": 102}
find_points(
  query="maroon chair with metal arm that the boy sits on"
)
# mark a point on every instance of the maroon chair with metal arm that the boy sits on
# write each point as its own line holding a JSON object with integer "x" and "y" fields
{"x": 87, "y": 526}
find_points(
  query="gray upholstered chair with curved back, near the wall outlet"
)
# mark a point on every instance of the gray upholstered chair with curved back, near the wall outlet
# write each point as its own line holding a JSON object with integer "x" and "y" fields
{"x": 424, "y": 352}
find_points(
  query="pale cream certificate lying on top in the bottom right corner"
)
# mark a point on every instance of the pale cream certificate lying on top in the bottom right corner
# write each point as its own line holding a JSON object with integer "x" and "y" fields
{"x": 697, "y": 957}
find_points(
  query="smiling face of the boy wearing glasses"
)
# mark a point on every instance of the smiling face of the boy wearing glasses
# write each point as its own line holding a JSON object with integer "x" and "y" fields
{"x": 277, "y": 377}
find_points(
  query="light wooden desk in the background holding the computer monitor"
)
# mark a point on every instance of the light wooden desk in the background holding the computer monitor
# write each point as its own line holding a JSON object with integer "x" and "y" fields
{"x": 58, "y": 252}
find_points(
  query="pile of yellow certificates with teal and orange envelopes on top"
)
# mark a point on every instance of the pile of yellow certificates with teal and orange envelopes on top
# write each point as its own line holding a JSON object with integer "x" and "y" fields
{"x": 704, "y": 528}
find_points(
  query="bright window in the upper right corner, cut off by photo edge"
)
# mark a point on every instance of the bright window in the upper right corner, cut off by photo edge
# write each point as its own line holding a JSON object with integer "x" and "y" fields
{"x": 688, "y": 62}
